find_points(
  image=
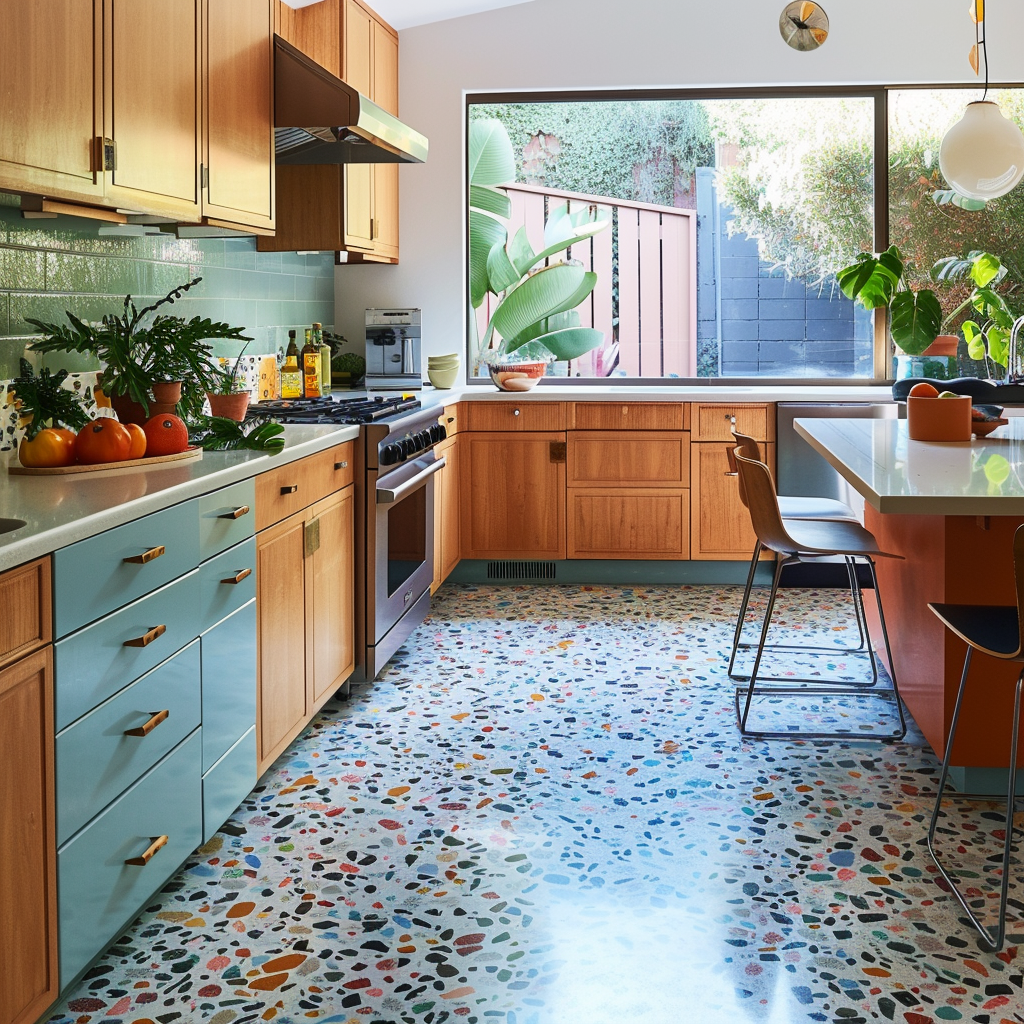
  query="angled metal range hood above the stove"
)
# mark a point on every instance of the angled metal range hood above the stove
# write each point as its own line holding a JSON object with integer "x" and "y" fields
{"x": 319, "y": 119}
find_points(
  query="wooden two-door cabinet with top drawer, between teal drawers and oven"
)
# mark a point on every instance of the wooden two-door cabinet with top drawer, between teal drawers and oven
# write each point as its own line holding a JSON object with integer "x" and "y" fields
{"x": 306, "y": 616}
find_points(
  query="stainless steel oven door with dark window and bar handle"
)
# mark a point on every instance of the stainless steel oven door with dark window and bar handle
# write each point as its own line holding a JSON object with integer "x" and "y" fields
{"x": 403, "y": 565}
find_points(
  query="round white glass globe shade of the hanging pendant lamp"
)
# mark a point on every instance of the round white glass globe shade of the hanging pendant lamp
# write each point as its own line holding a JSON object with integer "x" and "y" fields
{"x": 983, "y": 156}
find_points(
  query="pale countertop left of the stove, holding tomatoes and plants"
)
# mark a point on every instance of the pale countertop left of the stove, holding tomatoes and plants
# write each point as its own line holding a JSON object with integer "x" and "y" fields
{"x": 61, "y": 510}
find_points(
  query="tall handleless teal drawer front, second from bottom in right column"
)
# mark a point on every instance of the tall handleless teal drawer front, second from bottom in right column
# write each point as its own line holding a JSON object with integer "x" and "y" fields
{"x": 229, "y": 682}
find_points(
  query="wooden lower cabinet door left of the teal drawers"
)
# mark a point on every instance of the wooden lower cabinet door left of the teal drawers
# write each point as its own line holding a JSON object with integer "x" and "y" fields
{"x": 28, "y": 868}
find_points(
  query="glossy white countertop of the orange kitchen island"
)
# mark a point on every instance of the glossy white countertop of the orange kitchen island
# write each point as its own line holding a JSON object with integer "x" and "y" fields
{"x": 897, "y": 475}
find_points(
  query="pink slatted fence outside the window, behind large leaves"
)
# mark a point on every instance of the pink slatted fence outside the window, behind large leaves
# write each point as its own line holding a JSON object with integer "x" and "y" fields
{"x": 655, "y": 248}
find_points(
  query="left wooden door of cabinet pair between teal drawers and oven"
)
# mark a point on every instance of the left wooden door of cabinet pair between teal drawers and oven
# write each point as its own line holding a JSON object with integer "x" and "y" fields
{"x": 281, "y": 612}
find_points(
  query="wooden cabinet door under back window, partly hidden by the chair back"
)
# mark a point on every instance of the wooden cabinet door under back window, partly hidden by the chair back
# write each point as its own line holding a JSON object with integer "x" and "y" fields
{"x": 719, "y": 522}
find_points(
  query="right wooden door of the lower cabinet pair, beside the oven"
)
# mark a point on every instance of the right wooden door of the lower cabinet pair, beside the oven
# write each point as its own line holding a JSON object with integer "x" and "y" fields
{"x": 332, "y": 588}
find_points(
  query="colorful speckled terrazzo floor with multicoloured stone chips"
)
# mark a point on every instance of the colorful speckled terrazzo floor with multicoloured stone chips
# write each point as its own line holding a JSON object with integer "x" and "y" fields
{"x": 544, "y": 815}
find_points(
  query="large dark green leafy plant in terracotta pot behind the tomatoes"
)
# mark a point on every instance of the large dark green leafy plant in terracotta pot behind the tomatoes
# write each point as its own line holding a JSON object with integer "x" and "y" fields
{"x": 138, "y": 351}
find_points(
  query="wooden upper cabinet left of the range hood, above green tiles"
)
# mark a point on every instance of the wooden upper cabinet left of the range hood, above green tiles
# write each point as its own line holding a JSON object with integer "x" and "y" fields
{"x": 162, "y": 109}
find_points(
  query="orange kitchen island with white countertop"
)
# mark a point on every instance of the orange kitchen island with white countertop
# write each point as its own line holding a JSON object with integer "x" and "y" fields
{"x": 951, "y": 511}
